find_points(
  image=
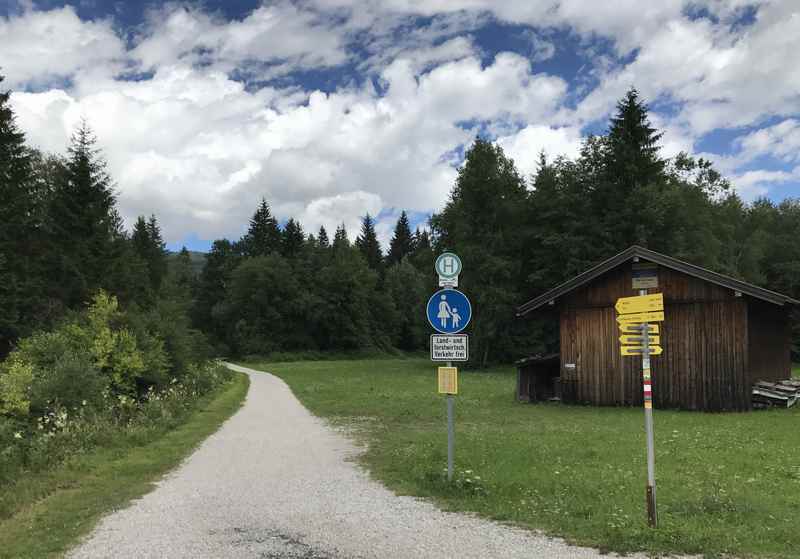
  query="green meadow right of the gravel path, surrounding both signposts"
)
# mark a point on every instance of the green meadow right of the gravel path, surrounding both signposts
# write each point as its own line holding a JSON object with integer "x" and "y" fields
{"x": 727, "y": 483}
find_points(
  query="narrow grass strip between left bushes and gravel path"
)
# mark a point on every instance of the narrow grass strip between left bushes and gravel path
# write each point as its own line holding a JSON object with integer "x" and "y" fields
{"x": 51, "y": 510}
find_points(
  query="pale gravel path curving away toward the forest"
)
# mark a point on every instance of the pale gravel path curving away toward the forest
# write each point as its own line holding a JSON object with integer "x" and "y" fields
{"x": 276, "y": 482}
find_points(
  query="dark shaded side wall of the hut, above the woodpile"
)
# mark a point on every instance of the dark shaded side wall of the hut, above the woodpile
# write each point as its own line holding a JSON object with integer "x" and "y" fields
{"x": 770, "y": 338}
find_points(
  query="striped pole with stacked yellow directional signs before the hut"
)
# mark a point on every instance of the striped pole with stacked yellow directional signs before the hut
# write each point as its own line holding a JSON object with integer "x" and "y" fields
{"x": 639, "y": 338}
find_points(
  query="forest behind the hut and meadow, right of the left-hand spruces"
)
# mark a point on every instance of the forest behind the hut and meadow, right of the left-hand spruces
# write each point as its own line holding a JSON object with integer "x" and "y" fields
{"x": 277, "y": 289}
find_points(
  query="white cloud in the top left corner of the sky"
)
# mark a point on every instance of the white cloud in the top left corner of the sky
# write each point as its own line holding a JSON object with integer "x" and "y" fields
{"x": 41, "y": 47}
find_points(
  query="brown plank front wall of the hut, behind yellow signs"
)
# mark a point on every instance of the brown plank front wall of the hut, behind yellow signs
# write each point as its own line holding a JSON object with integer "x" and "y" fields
{"x": 705, "y": 361}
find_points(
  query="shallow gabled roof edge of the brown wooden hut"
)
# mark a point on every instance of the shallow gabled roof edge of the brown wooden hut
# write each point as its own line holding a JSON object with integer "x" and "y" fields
{"x": 662, "y": 260}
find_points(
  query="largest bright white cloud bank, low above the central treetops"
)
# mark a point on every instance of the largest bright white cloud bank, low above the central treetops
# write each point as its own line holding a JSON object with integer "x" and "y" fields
{"x": 199, "y": 149}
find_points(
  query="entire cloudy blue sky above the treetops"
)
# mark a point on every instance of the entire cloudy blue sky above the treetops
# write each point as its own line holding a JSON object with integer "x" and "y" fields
{"x": 334, "y": 108}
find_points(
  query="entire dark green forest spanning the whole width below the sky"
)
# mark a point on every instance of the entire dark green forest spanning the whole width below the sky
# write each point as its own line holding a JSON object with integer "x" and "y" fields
{"x": 280, "y": 288}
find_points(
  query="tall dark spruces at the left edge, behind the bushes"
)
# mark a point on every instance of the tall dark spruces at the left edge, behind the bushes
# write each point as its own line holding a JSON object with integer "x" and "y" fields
{"x": 62, "y": 242}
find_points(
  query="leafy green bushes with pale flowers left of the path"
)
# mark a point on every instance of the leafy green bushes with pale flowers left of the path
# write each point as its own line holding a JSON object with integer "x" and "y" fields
{"x": 102, "y": 374}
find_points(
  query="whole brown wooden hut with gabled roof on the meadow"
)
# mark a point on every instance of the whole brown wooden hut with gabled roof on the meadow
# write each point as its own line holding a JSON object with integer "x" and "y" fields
{"x": 720, "y": 336}
